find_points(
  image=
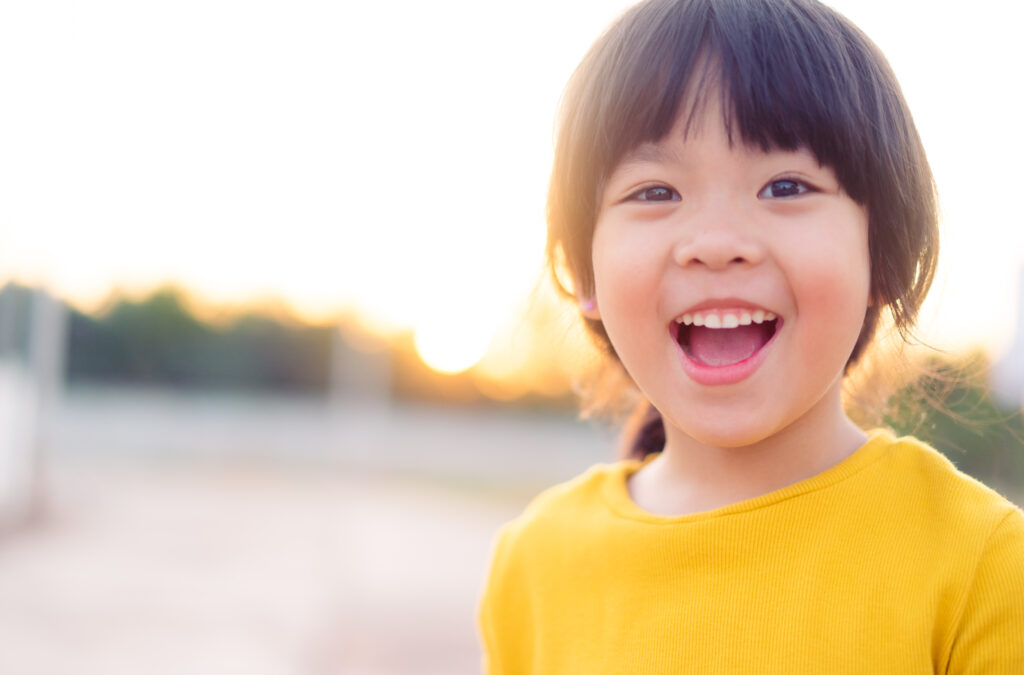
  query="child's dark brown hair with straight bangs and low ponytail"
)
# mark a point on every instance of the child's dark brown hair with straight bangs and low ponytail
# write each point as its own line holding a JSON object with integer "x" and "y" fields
{"x": 792, "y": 74}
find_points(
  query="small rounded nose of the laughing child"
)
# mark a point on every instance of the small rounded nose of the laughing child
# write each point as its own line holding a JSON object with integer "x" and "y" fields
{"x": 718, "y": 241}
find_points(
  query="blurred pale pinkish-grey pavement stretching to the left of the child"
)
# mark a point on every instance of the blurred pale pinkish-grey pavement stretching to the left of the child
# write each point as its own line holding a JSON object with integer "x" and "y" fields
{"x": 269, "y": 535}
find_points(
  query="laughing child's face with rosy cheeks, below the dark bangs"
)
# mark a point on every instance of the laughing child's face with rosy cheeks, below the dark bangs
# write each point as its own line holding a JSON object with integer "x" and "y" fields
{"x": 733, "y": 283}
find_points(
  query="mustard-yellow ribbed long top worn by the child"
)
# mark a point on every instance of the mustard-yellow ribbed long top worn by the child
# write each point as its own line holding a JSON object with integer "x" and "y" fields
{"x": 892, "y": 562}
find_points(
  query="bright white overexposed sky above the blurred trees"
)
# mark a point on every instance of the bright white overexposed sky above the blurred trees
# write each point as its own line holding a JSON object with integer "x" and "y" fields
{"x": 392, "y": 159}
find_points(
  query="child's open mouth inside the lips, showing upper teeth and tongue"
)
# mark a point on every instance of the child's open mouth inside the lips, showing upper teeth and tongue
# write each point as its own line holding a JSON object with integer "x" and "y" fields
{"x": 718, "y": 340}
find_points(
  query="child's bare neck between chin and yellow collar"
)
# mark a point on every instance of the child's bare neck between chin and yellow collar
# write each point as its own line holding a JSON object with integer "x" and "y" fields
{"x": 692, "y": 477}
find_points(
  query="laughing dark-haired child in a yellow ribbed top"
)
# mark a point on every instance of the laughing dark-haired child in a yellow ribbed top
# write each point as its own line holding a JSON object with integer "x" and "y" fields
{"x": 739, "y": 195}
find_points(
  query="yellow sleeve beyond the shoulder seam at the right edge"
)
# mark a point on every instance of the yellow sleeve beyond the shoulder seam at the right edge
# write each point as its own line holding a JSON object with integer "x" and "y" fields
{"x": 991, "y": 634}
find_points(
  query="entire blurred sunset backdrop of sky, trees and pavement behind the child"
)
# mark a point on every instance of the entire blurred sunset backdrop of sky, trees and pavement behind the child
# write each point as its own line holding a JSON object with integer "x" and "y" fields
{"x": 276, "y": 360}
